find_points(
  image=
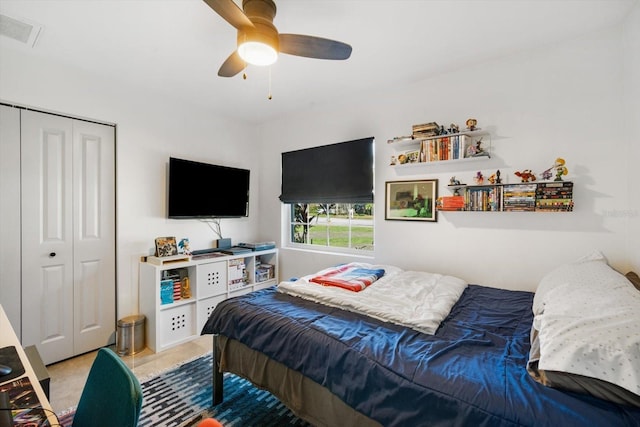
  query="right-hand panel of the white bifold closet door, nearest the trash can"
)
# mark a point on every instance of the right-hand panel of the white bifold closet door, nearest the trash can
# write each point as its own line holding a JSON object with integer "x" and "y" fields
{"x": 94, "y": 264}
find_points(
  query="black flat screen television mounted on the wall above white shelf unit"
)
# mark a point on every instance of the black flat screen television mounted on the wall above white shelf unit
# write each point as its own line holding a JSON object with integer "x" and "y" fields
{"x": 203, "y": 190}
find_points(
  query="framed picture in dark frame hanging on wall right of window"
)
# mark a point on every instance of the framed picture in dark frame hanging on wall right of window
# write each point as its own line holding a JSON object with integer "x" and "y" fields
{"x": 411, "y": 200}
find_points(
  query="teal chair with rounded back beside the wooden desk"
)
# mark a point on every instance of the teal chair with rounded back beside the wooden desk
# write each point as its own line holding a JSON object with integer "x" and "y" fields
{"x": 112, "y": 395}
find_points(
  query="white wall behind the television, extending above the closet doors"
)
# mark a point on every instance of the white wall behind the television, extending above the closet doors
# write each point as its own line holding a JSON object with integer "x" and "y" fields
{"x": 150, "y": 129}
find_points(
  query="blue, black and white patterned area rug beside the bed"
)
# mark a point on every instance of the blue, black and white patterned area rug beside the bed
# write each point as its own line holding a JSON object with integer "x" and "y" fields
{"x": 181, "y": 397}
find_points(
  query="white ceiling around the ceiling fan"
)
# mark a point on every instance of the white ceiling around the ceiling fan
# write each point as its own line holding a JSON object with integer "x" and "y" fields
{"x": 176, "y": 46}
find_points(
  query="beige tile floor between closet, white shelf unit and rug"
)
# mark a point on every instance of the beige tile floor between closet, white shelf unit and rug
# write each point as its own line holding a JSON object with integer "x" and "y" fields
{"x": 68, "y": 377}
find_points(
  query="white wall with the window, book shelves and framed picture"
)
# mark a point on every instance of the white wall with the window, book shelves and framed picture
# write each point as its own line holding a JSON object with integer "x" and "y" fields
{"x": 564, "y": 100}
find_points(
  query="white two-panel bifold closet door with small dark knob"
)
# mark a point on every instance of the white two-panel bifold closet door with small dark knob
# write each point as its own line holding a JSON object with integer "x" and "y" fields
{"x": 68, "y": 234}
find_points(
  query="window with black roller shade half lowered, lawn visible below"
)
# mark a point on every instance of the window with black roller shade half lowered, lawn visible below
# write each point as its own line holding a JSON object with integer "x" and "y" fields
{"x": 329, "y": 192}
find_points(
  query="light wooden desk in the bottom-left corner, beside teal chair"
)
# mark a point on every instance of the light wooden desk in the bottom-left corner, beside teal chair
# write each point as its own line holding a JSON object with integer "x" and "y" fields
{"x": 26, "y": 385}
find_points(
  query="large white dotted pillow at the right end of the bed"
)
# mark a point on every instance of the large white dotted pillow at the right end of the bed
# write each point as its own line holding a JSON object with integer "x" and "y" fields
{"x": 587, "y": 315}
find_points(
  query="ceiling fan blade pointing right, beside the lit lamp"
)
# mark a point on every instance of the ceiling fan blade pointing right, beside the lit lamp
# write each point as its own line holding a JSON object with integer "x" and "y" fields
{"x": 313, "y": 47}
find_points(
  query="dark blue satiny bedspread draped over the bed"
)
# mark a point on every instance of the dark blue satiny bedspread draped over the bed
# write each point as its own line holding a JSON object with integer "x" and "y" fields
{"x": 471, "y": 372}
